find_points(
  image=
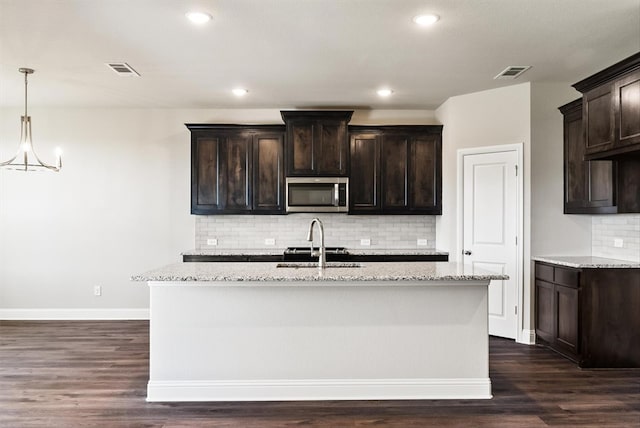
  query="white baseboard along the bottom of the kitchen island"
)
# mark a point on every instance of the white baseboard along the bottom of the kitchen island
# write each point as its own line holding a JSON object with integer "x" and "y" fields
{"x": 319, "y": 389}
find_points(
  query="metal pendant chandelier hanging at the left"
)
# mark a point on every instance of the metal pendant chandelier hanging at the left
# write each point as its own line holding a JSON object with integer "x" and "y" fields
{"x": 26, "y": 158}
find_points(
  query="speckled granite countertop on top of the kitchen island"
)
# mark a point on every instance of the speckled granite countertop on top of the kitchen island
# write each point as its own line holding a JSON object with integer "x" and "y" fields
{"x": 366, "y": 272}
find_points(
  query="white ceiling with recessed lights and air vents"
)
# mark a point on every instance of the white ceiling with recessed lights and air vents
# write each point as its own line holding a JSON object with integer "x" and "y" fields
{"x": 300, "y": 53}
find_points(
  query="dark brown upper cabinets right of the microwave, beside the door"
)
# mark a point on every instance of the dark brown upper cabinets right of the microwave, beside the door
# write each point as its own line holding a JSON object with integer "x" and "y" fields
{"x": 395, "y": 170}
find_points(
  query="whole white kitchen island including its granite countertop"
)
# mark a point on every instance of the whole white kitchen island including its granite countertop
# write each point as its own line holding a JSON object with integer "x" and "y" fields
{"x": 256, "y": 331}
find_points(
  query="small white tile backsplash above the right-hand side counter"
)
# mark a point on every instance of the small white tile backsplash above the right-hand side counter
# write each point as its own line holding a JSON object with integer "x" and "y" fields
{"x": 606, "y": 229}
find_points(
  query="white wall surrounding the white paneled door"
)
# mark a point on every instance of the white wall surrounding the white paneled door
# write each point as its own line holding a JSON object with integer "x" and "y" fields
{"x": 525, "y": 113}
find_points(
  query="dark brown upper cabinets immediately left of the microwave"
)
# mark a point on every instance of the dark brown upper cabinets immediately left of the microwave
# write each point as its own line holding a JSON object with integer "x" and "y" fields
{"x": 237, "y": 169}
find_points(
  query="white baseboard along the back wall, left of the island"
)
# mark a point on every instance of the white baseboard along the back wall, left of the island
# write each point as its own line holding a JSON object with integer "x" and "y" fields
{"x": 75, "y": 314}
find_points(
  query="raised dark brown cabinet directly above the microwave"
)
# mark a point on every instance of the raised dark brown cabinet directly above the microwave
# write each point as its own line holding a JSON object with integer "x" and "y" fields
{"x": 317, "y": 143}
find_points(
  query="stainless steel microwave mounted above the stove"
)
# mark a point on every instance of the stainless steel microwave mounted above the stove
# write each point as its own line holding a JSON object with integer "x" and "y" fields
{"x": 317, "y": 194}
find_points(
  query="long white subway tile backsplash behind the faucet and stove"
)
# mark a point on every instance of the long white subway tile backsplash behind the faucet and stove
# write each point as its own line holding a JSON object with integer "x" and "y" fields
{"x": 250, "y": 231}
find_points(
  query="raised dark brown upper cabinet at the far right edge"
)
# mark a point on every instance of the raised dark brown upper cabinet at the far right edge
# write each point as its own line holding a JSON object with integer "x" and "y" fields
{"x": 611, "y": 111}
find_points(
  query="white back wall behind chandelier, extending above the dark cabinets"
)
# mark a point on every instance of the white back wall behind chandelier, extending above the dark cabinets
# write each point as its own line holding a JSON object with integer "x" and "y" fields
{"x": 120, "y": 205}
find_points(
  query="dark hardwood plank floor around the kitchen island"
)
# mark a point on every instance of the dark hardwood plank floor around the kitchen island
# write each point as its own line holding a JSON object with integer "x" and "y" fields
{"x": 94, "y": 374}
